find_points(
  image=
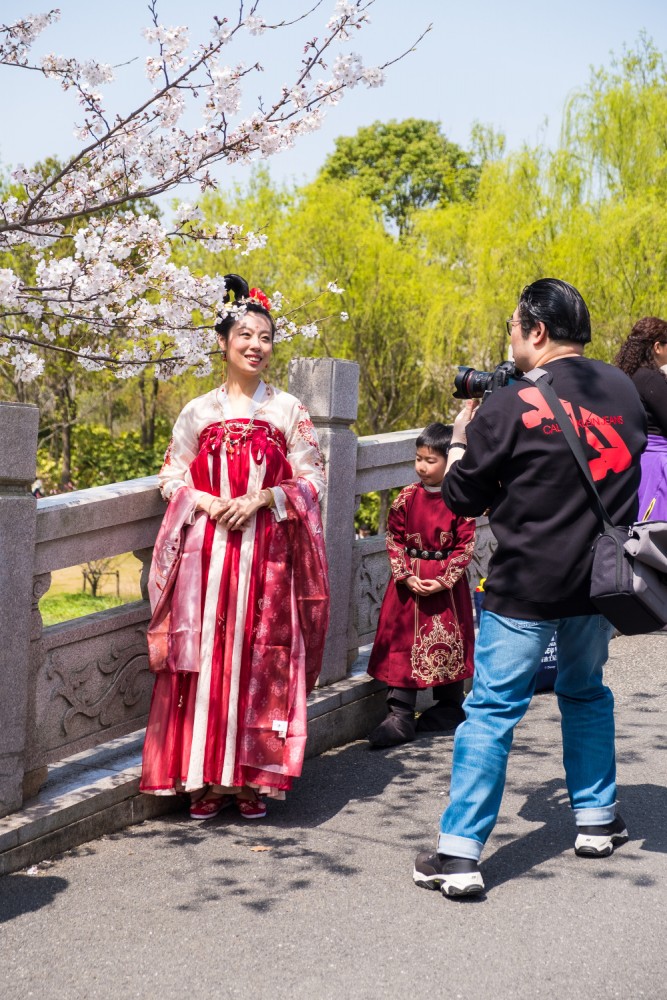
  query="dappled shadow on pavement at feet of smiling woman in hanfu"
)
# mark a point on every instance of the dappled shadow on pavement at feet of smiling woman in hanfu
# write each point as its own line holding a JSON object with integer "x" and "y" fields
{"x": 258, "y": 863}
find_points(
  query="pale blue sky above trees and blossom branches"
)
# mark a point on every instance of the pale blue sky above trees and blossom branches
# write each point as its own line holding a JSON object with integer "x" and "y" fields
{"x": 511, "y": 65}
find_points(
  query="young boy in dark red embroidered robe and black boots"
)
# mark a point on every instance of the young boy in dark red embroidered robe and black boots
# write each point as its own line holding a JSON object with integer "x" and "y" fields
{"x": 425, "y": 634}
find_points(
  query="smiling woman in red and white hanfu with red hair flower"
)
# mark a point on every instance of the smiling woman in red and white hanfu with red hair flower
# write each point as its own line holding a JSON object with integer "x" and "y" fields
{"x": 238, "y": 584}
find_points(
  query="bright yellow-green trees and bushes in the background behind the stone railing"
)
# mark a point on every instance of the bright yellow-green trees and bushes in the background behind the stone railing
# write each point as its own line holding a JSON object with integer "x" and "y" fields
{"x": 474, "y": 228}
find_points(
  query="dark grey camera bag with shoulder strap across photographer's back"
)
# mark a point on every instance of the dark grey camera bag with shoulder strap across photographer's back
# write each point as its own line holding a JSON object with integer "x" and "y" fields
{"x": 629, "y": 575}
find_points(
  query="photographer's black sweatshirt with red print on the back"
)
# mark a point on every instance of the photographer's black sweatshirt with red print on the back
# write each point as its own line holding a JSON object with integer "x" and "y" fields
{"x": 519, "y": 466}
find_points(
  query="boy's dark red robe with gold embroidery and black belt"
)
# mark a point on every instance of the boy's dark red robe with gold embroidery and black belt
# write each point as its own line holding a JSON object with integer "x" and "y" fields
{"x": 424, "y": 642}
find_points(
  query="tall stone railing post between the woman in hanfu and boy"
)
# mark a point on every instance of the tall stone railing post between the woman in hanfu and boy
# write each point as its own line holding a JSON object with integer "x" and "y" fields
{"x": 329, "y": 389}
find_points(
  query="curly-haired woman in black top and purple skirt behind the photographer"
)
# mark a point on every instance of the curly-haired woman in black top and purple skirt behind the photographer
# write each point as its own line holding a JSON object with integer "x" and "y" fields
{"x": 643, "y": 357}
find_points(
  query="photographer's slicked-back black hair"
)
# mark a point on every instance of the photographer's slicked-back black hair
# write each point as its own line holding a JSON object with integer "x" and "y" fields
{"x": 559, "y": 306}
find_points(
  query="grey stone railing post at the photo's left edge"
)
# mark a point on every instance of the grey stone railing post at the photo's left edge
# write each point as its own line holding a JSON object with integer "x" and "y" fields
{"x": 18, "y": 449}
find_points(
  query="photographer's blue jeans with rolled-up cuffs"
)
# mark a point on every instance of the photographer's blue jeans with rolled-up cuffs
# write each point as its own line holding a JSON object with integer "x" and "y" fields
{"x": 507, "y": 657}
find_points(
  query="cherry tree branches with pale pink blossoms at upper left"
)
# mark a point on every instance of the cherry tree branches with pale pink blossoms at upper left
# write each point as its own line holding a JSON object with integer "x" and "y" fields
{"x": 115, "y": 299}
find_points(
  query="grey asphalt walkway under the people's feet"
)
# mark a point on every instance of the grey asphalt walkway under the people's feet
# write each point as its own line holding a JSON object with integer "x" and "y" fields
{"x": 318, "y": 900}
